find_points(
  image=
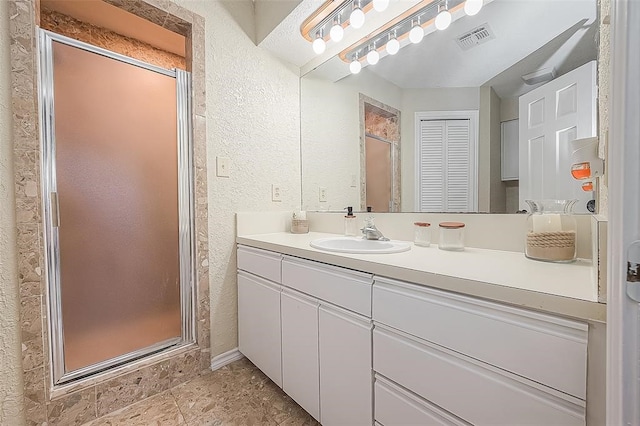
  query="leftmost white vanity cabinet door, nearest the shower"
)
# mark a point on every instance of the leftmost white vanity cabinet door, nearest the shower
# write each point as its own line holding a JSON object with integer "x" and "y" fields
{"x": 259, "y": 324}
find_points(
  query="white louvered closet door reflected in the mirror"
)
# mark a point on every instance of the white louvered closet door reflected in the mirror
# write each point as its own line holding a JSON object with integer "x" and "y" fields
{"x": 445, "y": 166}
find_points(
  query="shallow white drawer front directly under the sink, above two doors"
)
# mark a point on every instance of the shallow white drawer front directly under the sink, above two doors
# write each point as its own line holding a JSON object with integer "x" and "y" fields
{"x": 343, "y": 287}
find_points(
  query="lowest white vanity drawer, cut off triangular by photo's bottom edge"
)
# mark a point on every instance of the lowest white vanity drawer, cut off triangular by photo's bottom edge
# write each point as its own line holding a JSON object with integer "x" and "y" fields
{"x": 396, "y": 406}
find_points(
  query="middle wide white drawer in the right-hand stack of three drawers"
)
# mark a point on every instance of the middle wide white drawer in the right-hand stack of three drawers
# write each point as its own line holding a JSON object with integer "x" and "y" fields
{"x": 476, "y": 392}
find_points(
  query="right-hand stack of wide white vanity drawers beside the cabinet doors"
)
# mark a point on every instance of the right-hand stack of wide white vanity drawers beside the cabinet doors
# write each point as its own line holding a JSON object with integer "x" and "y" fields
{"x": 482, "y": 362}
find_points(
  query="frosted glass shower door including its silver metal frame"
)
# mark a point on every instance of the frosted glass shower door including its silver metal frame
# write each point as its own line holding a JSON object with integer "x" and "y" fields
{"x": 118, "y": 213}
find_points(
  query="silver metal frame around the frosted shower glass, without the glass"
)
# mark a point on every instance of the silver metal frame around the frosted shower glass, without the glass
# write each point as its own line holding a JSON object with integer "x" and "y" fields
{"x": 186, "y": 210}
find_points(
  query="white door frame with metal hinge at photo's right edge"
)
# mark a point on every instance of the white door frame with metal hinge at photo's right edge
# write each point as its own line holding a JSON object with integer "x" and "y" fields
{"x": 623, "y": 310}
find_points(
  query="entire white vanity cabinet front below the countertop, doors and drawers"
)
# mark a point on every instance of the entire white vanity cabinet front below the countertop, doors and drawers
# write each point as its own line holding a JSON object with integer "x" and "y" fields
{"x": 357, "y": 349}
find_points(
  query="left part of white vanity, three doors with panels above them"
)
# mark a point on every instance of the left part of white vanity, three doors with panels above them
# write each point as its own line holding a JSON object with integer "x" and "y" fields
{"x": 308, "y": 326}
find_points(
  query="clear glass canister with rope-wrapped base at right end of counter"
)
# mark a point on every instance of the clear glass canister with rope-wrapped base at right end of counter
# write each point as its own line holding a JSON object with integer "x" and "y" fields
{"x": 551, "y": 231}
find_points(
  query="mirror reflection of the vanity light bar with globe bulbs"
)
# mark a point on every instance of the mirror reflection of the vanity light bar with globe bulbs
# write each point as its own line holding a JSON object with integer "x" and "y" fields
{"x": 421, "y": 16}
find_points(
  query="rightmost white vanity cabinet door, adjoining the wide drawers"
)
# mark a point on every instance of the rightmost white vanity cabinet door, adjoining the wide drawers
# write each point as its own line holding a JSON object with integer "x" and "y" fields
{"x": 345, "y": 368}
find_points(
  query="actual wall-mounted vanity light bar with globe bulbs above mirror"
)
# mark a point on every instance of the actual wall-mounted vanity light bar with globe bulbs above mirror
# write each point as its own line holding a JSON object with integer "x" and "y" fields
{"x": 341, "y": 15}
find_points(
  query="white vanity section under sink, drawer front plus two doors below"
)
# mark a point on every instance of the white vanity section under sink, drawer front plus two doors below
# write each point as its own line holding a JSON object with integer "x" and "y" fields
{"x": 341, "y": 299}
